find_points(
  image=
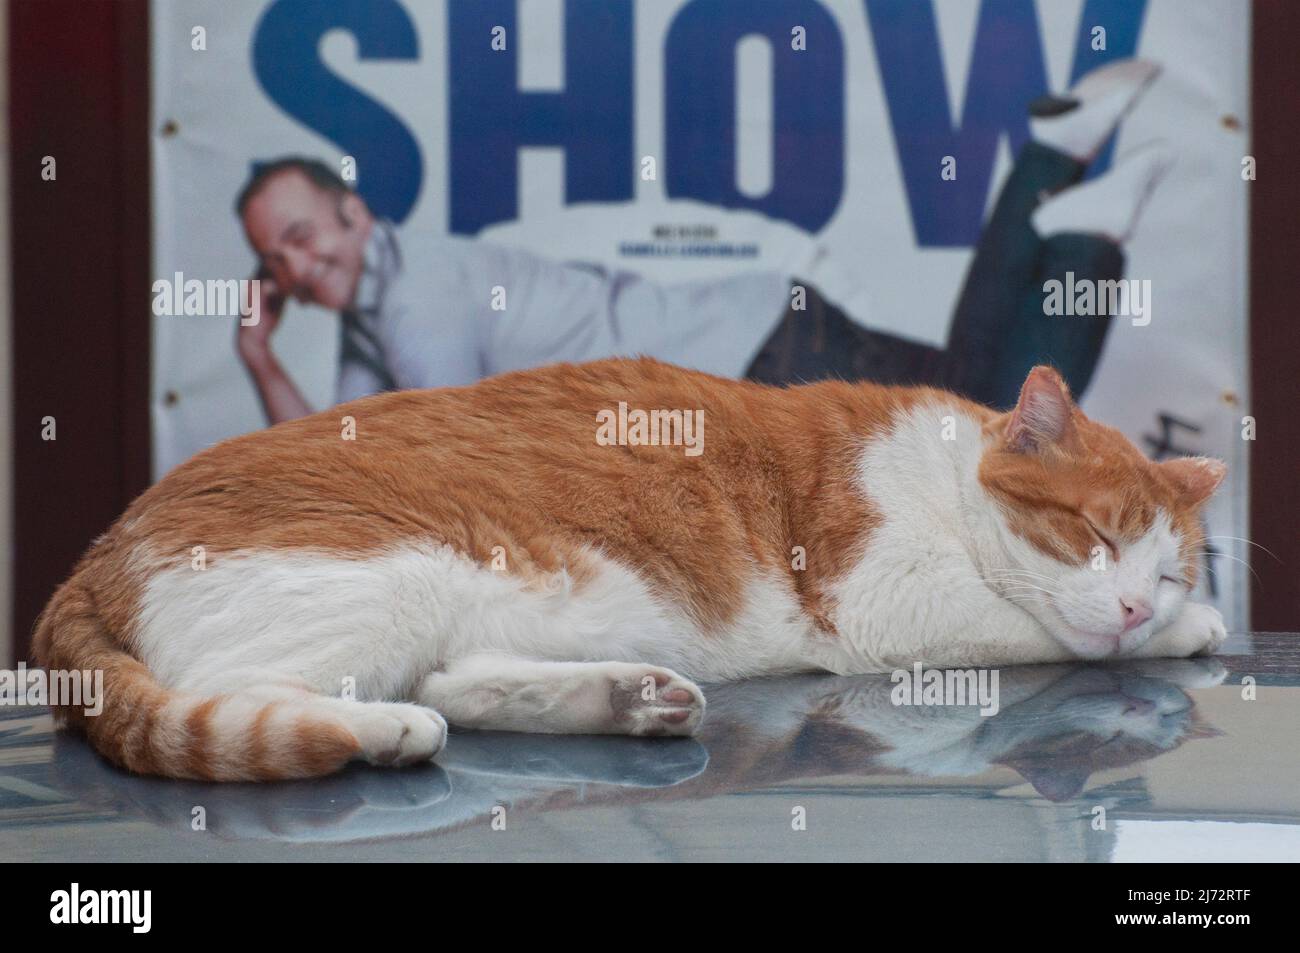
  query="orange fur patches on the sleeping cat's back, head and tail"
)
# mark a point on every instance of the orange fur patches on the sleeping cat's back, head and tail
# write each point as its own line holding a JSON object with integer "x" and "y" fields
{"x": 513, "y": 462}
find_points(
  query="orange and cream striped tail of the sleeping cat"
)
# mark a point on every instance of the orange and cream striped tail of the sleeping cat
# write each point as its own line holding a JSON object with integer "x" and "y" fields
{"x": 145, "y": 727}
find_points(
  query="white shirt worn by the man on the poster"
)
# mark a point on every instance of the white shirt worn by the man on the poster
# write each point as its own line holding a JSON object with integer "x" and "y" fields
{"x": 424, "y": 315}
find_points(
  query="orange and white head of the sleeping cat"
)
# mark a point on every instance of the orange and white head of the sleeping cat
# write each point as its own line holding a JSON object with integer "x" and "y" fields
{"x": 1098, "y": 543}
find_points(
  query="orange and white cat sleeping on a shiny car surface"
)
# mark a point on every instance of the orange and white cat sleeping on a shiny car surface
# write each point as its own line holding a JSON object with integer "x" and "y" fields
{"x": 333, "y": 588}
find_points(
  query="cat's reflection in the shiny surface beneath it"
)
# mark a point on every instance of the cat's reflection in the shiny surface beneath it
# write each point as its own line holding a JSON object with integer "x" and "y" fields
{"x": 1056, "y": 726}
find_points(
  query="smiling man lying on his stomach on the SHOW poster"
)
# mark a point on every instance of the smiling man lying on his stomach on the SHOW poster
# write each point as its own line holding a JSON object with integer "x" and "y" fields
{"x": 424, "y": 311}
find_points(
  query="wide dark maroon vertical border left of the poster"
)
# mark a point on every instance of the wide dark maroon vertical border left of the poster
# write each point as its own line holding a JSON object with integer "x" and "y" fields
{"x": 79, "y": 80}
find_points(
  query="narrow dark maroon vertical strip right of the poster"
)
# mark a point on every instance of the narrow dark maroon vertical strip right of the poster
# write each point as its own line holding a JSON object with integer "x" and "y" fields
{"x": 1275, "y": 319}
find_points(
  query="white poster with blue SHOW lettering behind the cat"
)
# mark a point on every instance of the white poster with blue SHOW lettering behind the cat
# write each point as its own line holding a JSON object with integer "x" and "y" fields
{"x": 861, "y": 189}
